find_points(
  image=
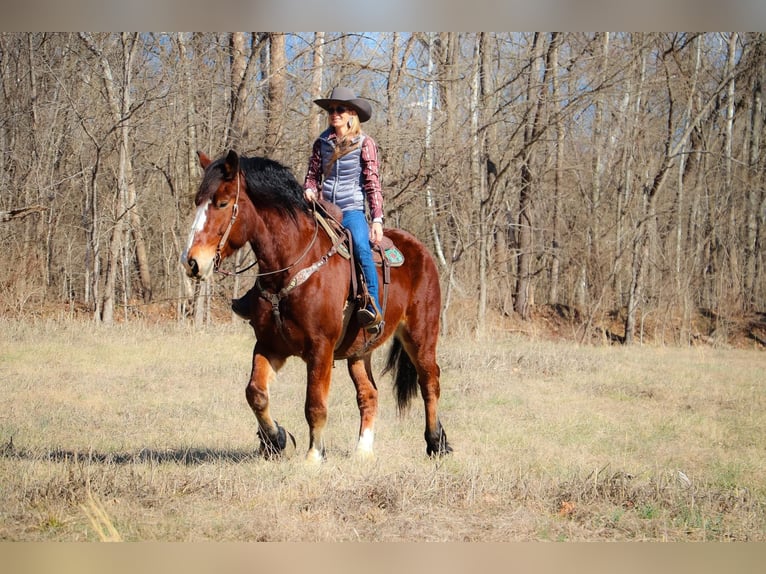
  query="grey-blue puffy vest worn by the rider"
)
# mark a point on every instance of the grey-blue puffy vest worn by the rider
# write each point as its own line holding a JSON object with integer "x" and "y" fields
{"x": 342, "y": 184}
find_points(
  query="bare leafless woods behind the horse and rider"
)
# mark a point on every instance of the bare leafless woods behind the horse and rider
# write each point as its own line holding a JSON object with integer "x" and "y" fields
{"x": 619, "y": 176}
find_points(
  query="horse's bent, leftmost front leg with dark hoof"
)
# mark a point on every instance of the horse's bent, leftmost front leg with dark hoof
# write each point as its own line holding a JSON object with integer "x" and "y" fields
{"x": 274, "y": 438}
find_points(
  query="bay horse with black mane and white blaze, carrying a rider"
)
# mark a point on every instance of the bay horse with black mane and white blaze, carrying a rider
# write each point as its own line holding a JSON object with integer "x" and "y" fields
{"x": 302, "y": 308}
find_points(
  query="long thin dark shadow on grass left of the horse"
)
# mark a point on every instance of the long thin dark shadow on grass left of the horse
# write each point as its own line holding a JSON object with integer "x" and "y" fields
{"x": 187, "y": 456}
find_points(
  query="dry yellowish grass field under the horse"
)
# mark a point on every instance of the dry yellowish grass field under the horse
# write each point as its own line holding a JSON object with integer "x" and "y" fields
{"x": 142, "y": 432}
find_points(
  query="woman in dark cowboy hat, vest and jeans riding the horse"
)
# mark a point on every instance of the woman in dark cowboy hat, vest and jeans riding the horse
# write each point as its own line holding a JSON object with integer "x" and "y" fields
{"x": 343, "y": 167}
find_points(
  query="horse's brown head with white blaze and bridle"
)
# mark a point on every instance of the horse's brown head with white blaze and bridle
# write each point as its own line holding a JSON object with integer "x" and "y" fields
{"x": 213, "y": 235}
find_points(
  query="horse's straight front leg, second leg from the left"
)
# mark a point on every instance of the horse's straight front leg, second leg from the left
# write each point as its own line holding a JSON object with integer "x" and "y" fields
{"x": 319, "y": 375}
